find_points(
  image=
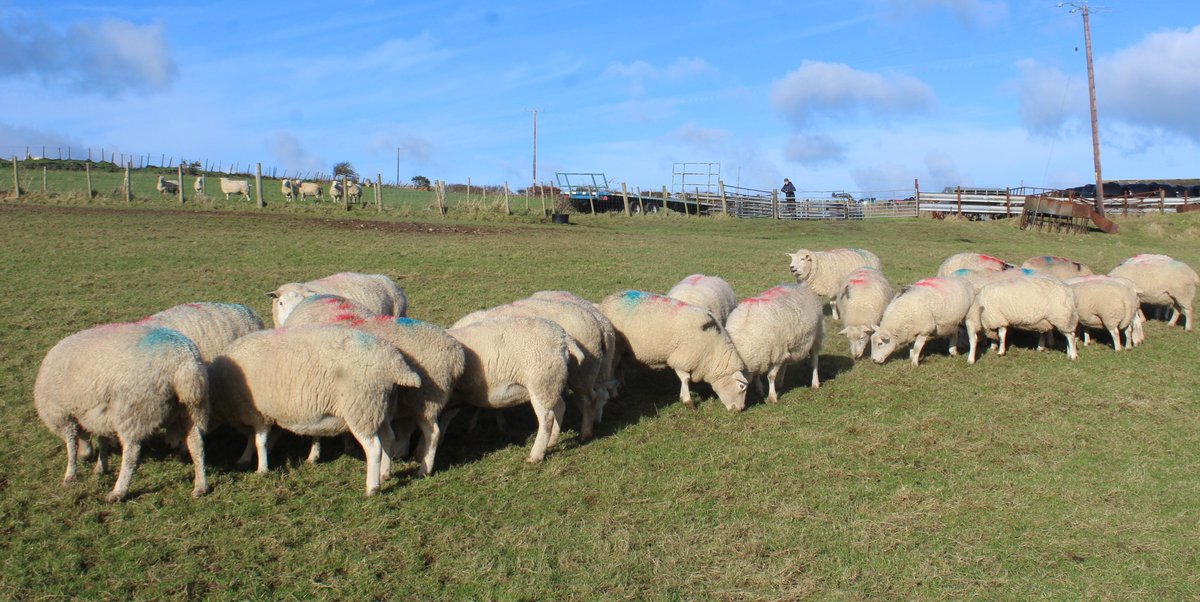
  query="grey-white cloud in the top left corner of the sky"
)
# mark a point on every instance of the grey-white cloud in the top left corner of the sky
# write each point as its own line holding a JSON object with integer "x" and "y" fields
{"x": 109, "y": 56}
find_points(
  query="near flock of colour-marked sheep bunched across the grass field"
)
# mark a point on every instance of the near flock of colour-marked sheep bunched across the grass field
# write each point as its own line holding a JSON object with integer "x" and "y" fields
{"x": 344, "y": 358}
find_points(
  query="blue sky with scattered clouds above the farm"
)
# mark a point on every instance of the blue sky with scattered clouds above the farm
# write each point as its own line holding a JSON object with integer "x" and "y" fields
{"x": 866, "y": 97}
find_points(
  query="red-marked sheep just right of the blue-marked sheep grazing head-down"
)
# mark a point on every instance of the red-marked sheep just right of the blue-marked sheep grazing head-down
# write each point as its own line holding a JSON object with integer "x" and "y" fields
{"x": 776, "y": 329}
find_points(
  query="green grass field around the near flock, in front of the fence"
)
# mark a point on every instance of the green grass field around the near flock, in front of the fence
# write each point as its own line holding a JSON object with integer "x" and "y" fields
{"x": 1018, "y": 478}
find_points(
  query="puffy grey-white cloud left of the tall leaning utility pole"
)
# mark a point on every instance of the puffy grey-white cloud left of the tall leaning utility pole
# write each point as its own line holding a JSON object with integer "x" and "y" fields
{"x": 833, "y": 89}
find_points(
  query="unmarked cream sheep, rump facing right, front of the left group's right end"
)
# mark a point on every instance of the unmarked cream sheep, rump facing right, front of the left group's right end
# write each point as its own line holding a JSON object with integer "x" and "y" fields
{"x": 512, "y": 362}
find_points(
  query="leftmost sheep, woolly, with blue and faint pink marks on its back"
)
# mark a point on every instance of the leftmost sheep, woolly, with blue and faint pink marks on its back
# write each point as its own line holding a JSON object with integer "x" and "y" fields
{"x": 124, "y": 382}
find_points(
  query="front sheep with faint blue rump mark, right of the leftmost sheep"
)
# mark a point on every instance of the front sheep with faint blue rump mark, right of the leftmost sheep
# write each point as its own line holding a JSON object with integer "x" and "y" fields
{"x": 317, "y": 381}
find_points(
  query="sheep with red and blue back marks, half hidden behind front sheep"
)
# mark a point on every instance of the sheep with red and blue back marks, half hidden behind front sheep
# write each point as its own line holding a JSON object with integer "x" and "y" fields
{"x": 430, "y": 352}
